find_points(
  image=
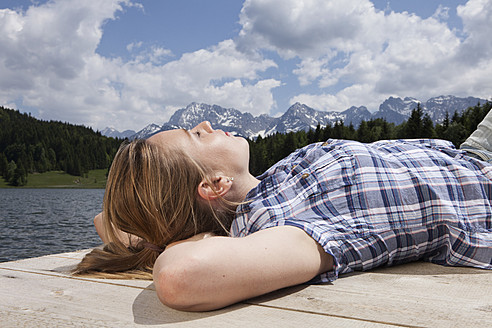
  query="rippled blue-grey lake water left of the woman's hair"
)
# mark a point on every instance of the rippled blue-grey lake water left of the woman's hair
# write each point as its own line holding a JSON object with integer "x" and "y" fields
{"x": 35, "y": 222}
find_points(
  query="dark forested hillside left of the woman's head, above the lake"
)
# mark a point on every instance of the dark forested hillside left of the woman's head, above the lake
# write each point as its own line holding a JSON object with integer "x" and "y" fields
{"x": 29, "y": 145}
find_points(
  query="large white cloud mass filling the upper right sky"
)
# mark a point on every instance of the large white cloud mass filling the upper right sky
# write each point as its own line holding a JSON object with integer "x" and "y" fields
{"x": 347, "y": 45}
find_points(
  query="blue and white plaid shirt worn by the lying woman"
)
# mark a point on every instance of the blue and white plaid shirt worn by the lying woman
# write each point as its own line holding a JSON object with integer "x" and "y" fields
{"x": 376, "y": 204}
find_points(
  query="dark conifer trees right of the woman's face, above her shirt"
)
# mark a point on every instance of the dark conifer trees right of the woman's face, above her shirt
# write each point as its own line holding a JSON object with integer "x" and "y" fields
{"x": 264, "y": 152}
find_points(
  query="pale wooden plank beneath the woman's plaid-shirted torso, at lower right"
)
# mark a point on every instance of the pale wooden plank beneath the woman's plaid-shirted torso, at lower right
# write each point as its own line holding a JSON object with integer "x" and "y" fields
{"x": 417, "y": 294}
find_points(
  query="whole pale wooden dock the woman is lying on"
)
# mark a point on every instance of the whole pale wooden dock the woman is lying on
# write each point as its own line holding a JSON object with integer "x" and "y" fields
{"x": 39, "y": 292}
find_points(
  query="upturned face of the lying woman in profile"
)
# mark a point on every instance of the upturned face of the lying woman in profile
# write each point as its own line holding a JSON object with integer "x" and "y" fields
{"x": 216, "y": 149}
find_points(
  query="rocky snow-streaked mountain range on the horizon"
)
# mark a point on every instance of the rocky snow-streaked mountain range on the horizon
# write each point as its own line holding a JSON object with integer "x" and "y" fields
{"x": 298, "y": 117}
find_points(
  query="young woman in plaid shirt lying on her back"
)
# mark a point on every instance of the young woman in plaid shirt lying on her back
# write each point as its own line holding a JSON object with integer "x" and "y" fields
{"x": 176, "y": 203}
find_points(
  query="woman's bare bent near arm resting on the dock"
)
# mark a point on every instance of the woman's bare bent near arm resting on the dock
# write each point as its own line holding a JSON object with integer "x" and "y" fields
{"x": 218, "y": 271}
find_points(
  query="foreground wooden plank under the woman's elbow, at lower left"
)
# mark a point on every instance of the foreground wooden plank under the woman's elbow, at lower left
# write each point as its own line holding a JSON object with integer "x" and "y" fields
{"x": 29, "y": 299}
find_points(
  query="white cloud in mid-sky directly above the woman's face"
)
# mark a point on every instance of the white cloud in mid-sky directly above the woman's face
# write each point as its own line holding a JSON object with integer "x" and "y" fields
{"x": 219, "y": 75}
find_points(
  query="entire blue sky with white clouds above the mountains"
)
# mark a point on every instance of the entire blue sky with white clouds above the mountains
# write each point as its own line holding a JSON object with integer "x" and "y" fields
{"x": 129, "y": 63}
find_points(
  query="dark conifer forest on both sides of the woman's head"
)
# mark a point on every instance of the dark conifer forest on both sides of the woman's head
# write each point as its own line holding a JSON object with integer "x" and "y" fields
{"x": 29, "y": 145}
